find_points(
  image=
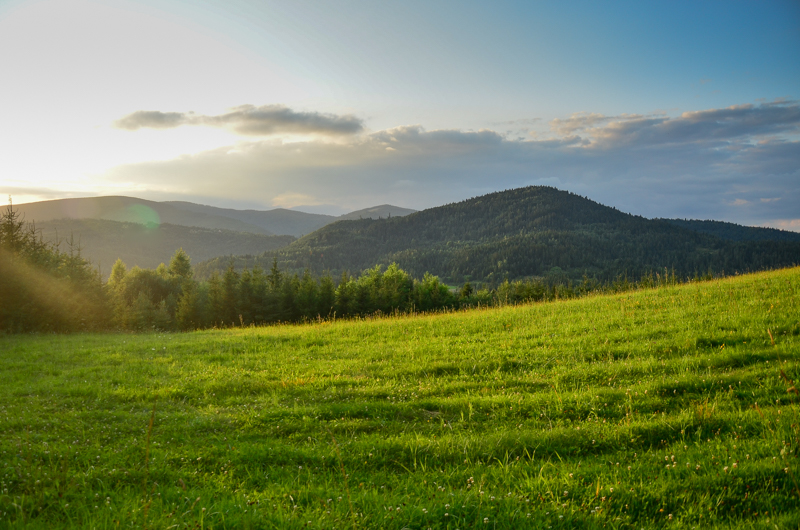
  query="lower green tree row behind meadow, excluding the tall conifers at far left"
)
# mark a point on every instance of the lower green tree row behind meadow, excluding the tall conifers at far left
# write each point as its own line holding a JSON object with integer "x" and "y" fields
{"x": 169, "y": 298}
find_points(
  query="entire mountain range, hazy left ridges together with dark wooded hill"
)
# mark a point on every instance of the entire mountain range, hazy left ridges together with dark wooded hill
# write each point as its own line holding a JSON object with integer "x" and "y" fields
{"x": 534, "y": 231}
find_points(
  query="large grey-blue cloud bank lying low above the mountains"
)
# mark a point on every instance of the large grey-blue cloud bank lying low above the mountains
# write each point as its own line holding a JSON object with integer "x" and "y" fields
{"x": 711, "y": 164}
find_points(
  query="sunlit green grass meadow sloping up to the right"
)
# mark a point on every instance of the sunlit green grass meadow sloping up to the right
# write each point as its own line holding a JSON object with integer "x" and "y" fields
{"x": 662, "y": 408}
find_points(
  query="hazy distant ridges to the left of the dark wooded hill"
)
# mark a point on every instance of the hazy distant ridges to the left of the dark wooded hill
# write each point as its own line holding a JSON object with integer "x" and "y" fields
{"x": 146, "y": 233}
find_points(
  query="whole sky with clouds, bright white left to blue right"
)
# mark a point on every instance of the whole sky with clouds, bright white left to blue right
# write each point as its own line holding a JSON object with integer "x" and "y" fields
{"x": 660, "y": 109}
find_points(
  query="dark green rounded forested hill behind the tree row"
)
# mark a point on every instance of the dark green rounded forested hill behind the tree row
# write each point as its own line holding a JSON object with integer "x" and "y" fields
{"x": 521, "y": 233}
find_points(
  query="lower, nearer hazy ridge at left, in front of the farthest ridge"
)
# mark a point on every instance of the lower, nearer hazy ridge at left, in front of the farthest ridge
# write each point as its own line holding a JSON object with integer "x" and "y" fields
{"x": 102, "y": 241}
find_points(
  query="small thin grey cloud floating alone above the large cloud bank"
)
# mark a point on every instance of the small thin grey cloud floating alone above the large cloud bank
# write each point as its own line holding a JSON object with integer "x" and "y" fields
{"x": 248, "y": 120}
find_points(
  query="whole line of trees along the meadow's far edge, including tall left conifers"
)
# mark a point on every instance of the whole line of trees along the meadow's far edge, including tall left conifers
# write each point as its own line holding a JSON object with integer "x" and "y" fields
{"x": 44, "y": 288}
